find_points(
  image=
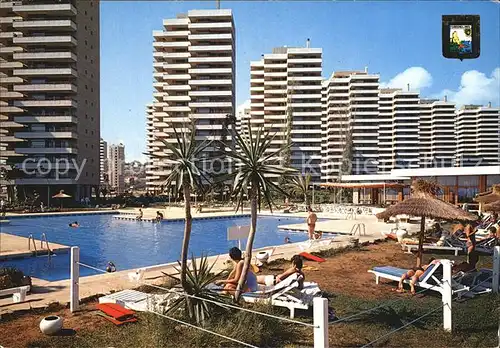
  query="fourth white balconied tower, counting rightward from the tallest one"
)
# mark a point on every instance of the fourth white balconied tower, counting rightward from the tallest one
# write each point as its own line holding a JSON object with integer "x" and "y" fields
{"x": 398, "y": 132}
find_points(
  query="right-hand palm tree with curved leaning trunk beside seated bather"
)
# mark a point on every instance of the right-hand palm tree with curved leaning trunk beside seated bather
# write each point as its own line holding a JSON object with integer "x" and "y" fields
{"x": 253, "y": 178}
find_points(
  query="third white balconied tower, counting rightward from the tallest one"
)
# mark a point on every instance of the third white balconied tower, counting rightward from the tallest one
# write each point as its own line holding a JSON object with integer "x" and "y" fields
{"x": 350, "y": 123}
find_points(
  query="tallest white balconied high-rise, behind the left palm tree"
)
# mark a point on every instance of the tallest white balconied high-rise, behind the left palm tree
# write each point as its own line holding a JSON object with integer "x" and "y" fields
{"x": 194, "y": 81}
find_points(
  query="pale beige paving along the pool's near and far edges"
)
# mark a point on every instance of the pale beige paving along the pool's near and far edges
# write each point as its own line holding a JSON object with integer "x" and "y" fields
{"x": 44, "y": 292}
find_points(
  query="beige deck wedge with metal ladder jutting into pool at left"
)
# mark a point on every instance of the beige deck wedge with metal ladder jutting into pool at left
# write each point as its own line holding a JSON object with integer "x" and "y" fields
{"x": 16, "y": 246}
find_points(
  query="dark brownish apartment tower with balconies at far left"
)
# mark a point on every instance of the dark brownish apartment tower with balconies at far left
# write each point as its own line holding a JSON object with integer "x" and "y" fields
{"x": 49, "y": 100}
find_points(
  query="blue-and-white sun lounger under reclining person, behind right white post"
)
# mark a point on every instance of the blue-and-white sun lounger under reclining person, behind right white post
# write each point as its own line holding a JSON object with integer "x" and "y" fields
{"x": 431, "y": 279}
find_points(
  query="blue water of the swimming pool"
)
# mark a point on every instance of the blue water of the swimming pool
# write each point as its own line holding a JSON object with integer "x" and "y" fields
{"x": 133, "y": 244}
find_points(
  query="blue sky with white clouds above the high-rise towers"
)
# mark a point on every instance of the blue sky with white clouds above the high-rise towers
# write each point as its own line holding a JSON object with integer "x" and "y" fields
{"x": 399, "y": 40}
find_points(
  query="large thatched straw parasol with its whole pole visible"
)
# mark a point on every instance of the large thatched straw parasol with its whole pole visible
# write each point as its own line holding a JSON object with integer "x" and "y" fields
{"x": 424, "y": 203}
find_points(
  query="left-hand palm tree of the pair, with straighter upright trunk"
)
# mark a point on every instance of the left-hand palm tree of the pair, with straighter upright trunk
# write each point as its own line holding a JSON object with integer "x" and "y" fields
{"x": 186, "y": 175}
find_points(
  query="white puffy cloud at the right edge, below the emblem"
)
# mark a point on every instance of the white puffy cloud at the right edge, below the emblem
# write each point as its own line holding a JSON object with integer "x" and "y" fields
{"x": 475, "y": 88}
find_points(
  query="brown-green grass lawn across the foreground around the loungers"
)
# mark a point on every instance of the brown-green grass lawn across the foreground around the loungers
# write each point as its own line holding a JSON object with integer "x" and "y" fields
{"x": 345, "y": 281}
